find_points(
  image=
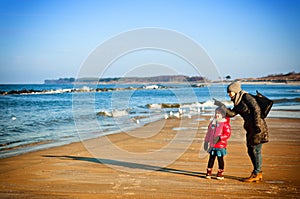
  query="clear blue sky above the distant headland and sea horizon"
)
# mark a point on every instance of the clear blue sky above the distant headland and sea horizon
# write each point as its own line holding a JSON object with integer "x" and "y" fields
{"x": 50, "y": 39}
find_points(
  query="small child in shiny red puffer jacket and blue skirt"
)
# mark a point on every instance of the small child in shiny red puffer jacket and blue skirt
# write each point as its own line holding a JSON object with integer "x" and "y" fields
{"x": 216, "y": 141}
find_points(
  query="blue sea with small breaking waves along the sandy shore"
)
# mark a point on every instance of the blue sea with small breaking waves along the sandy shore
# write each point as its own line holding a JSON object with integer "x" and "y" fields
{"x": 64, "y": 114}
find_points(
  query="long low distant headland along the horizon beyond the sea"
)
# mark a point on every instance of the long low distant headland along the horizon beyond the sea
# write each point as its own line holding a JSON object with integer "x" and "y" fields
{"x": 291, "y": 77}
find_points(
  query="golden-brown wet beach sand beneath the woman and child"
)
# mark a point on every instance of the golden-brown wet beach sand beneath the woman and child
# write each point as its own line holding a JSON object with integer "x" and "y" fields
{"x": 72, "y": 172}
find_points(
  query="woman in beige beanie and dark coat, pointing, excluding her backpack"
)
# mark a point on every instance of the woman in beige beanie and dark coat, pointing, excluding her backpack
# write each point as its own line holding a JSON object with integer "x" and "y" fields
{"x": 256, "y": 127}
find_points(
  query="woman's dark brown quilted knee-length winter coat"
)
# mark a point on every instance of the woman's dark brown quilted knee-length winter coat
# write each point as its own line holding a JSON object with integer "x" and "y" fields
{"x": 255, "y": 126}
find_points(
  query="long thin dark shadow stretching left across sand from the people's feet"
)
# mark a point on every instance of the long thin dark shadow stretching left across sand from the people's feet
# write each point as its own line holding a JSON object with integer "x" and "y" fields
{"x": 138, "y": 166}
